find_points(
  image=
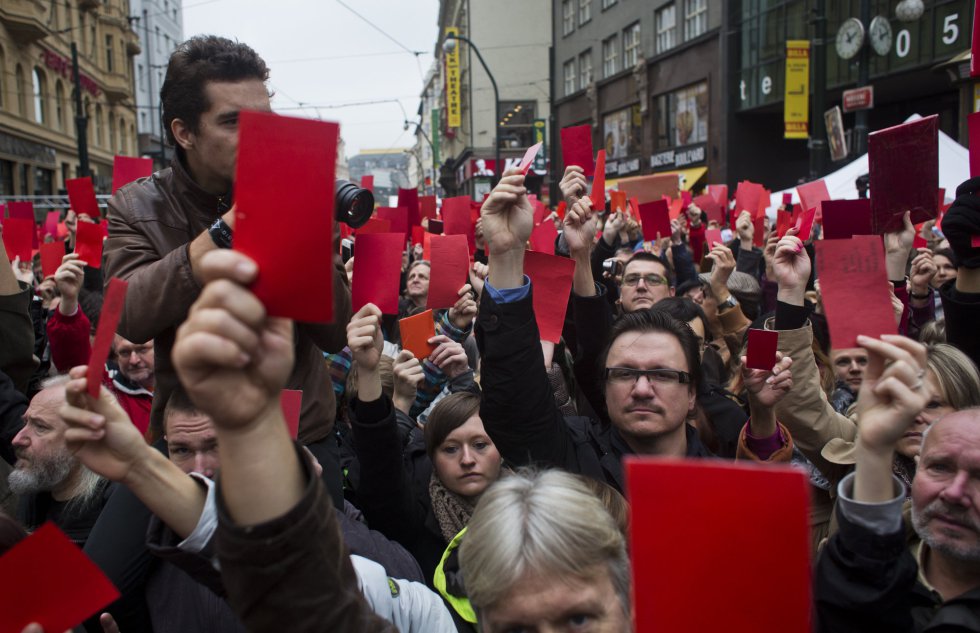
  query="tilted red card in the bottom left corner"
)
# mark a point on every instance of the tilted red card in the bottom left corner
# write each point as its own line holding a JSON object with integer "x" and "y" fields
{"x": 49, "y": 580}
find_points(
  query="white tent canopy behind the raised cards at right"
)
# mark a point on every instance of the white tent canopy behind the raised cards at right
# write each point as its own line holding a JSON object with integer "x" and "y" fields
{"x": 954, "y": 168}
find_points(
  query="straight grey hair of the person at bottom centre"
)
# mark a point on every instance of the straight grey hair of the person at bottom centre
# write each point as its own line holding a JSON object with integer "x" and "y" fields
{"x": 545, "y": 522}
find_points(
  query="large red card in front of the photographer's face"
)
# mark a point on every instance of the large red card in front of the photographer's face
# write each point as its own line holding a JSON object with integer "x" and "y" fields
{"x": 283, "y": 227}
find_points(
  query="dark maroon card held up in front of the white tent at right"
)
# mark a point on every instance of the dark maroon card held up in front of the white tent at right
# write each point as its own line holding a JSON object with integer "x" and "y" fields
{"x": 903, "y": 165}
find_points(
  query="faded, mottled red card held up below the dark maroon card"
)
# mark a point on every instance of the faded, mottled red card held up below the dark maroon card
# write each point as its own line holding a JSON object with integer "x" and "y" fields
{"x": 853, "y": 278}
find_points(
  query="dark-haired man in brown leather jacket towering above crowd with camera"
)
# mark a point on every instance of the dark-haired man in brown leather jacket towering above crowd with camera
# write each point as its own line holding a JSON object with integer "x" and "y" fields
{"x": 160, "y": 227}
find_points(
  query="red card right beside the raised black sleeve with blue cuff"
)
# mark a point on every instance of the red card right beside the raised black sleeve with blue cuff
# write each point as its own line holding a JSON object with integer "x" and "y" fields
{"x": 551, "y": 281}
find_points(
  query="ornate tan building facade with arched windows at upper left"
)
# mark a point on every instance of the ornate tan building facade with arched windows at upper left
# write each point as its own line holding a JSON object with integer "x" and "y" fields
{"x": 38, "y": 139}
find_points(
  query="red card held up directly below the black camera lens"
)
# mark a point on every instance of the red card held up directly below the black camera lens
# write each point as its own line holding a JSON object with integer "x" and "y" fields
{"x": 377, "y": 271}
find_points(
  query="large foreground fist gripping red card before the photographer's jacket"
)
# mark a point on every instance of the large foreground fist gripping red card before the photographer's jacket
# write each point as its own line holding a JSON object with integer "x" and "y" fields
{"x": 232, "y": 358}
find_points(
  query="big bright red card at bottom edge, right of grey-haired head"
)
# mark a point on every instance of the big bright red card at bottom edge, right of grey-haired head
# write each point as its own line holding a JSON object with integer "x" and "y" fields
{"x": 731, "y": 513}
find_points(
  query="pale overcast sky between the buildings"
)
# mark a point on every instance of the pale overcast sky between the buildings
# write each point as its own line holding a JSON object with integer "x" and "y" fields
{"x": 322, "y": 54}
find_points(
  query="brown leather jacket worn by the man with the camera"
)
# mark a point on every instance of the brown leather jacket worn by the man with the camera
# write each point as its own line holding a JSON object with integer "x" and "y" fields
{"x": 151, "y": 223}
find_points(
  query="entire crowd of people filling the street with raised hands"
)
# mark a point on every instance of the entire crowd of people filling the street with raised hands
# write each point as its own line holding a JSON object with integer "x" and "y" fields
{"x": 482, "y": 487}
